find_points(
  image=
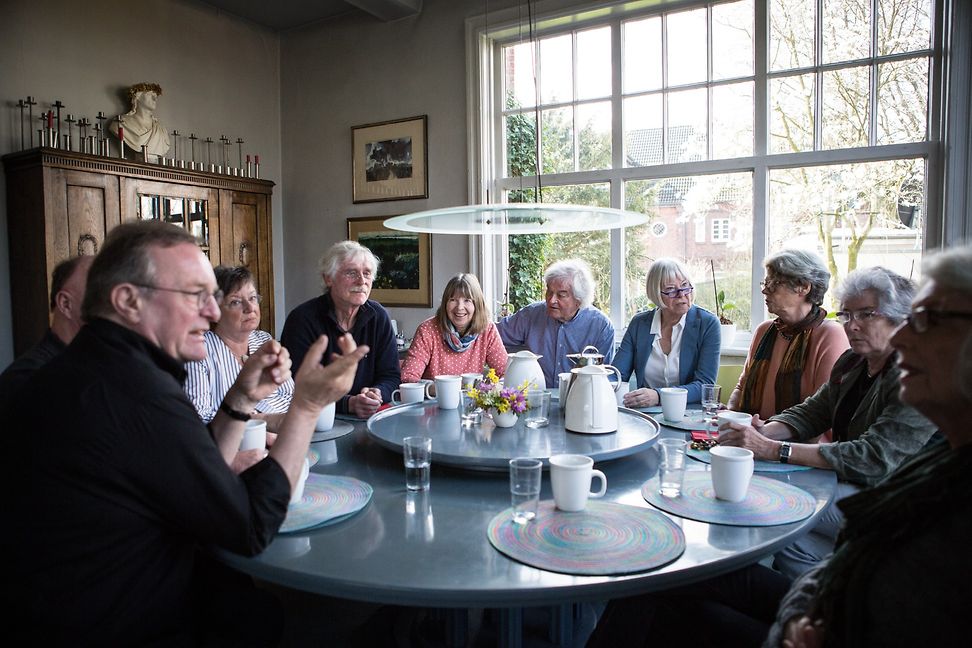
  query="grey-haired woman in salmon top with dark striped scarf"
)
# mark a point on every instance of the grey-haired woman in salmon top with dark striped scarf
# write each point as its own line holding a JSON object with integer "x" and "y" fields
{"x": 792, "y": 355}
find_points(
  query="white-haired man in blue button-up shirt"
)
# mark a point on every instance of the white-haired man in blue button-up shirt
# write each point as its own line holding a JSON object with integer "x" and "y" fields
{"x": 565, "y": 322}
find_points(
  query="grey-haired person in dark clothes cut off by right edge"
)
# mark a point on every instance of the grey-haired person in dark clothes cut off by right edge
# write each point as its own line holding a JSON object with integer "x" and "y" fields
{"x": 901, "y": 545}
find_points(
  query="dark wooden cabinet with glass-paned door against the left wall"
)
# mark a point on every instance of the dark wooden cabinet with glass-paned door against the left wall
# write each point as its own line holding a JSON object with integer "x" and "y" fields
{"x": 61, "y": 204}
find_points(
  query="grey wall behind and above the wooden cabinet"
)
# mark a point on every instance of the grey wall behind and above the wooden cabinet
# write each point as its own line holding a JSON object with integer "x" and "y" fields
{"x": 219, "y": 76}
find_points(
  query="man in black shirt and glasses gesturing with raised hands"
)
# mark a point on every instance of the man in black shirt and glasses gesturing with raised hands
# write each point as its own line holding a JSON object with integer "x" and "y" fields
{"x": 114, "y": 485}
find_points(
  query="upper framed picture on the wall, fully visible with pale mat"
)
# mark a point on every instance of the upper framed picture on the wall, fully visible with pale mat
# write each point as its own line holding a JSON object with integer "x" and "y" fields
{"x": 389, "y": 160}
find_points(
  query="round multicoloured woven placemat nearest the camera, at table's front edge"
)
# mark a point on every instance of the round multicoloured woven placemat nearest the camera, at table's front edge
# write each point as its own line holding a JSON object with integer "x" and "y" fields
{"x": 605, "y": 539}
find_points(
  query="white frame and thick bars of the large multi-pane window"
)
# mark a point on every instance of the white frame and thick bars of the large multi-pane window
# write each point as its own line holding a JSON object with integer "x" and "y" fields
{"x": 486, "y": 34}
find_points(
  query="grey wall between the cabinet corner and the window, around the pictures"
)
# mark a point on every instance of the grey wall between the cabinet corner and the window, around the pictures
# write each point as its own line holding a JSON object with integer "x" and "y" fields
{"x": 356, "y": 70}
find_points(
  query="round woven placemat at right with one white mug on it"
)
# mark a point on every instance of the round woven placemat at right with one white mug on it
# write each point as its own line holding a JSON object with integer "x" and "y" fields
{"x": 768, "y": 502}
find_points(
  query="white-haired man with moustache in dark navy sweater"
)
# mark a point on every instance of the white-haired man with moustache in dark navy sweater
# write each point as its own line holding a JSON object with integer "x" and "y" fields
{"x": 348, "y": 270}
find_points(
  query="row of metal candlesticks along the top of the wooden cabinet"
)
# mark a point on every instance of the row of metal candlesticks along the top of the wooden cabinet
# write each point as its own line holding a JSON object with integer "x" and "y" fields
{"x": 96, "y": 142}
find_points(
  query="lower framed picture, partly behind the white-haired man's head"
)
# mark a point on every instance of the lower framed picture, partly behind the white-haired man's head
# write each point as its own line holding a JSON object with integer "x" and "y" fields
{"x": 405, "y": 271}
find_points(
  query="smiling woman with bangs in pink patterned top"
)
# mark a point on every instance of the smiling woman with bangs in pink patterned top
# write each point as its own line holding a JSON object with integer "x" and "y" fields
{"x": 459, "y": 339}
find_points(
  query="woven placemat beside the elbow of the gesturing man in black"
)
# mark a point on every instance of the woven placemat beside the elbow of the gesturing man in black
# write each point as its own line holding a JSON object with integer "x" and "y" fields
{"x": 327, "y": 498}
